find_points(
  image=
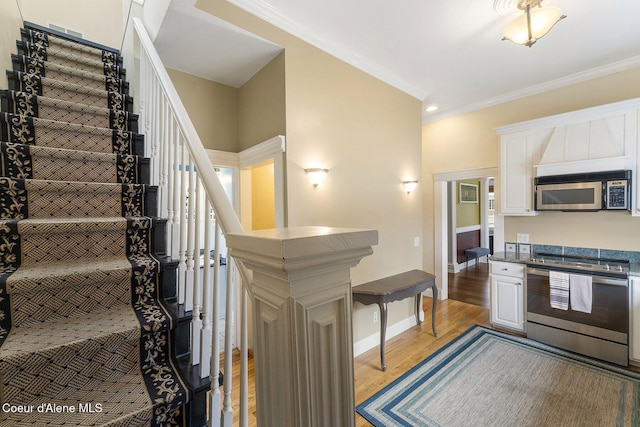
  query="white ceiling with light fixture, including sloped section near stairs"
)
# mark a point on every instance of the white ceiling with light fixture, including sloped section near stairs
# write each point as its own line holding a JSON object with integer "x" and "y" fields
{"x": 443, "y": 52}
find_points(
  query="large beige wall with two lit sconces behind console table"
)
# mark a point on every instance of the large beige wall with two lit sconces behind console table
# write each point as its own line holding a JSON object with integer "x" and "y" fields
{"x": 368, "y": 134}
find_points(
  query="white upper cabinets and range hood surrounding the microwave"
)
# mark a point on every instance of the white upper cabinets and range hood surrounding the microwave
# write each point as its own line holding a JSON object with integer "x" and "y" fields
{"x": 594, "y": 139}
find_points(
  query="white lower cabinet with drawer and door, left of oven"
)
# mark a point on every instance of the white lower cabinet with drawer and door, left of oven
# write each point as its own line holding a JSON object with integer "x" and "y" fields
{"x": 508, "y": 295}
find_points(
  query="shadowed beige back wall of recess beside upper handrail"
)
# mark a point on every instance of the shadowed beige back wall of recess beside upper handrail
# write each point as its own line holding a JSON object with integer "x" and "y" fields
{"x": 213, "y": 108}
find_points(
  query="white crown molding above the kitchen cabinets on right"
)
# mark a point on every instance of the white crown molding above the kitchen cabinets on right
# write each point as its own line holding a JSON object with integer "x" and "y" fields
{"x": 593, "y": 73}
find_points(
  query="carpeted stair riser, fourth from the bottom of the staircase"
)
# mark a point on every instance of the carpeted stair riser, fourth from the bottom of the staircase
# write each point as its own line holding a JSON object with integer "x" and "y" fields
{"x": 31, "y": 198}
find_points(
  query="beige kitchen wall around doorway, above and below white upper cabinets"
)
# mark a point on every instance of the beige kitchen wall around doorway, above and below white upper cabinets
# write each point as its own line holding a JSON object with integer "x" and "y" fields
{"x": 469, "y": 141}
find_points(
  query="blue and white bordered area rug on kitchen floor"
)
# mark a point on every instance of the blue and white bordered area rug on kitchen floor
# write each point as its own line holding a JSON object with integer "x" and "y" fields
{"x": 487, "y": 378}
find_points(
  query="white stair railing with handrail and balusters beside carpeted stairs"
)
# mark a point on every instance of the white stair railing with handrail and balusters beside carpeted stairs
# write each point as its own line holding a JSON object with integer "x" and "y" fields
{"x": 189, "y": 191}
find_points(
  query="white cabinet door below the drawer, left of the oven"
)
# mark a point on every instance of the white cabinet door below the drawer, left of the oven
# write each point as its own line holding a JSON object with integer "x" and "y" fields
{"x": 507, "y": 302}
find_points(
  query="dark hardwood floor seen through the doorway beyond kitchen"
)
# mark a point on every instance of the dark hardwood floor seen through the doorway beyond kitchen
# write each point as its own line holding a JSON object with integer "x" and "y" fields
{"x": 471, "y": 285}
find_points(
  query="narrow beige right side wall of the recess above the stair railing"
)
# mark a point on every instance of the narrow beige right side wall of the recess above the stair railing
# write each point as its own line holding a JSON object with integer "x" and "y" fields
{"x": 261, "y": 105}
